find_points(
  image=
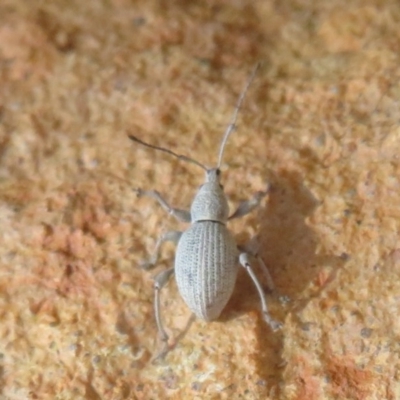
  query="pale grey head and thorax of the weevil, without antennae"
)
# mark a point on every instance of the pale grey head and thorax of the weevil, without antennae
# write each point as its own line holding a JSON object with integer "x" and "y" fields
{"x": 210, "y": 203}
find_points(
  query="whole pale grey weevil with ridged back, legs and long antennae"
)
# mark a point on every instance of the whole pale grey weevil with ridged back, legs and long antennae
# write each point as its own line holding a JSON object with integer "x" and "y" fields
{"x": 206, "y": 260}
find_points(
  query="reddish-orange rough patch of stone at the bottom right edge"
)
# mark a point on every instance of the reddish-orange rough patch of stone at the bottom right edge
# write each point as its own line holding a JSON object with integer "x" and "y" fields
{"x": 348, "y": 380}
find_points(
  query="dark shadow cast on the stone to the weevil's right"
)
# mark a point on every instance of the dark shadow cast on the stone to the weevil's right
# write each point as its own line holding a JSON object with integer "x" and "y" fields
{"x": 288, "y": 246}
